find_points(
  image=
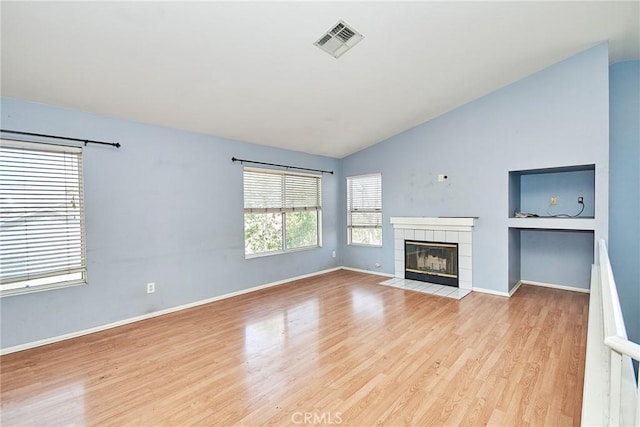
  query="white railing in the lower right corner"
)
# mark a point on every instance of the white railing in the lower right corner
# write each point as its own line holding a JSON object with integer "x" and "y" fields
{"x": 610, "y": 395}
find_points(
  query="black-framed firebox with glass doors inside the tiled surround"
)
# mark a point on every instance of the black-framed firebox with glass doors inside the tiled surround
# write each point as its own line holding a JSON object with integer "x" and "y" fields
{"x": 433, "y": 262}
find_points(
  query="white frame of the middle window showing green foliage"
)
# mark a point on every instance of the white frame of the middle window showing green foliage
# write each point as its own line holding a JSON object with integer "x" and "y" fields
{"x": 283, "y": 210}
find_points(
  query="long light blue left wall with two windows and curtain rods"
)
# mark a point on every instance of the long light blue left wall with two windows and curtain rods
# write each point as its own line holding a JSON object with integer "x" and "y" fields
{"x": 167, "y": 208}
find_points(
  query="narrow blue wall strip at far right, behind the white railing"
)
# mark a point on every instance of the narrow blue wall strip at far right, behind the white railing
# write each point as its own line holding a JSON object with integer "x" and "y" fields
{"x": 624, "y": 176}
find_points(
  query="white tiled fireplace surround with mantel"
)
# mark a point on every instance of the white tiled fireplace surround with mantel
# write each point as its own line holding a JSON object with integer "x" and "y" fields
{"x": 436, "y": 229}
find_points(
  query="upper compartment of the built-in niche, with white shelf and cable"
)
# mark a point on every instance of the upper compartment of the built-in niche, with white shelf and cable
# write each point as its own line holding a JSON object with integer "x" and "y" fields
{"x": 530, "y": 191}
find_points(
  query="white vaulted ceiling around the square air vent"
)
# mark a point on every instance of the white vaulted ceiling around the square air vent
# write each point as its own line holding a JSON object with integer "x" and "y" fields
{"x": 249, "y": 70}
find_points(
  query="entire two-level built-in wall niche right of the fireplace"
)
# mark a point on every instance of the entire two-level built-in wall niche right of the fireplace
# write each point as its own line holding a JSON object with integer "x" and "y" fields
{"x": 555, "y": 247}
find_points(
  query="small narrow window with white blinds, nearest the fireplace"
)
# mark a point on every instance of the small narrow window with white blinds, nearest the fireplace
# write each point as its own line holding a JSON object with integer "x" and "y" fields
{"x": 364, "y": 210}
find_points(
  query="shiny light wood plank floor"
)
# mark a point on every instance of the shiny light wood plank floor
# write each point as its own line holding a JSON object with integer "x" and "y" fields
{"x": 332, "y": 349}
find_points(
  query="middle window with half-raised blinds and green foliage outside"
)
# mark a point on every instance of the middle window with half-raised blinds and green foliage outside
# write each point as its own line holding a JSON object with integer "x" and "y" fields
{"x": 282, "y": 211}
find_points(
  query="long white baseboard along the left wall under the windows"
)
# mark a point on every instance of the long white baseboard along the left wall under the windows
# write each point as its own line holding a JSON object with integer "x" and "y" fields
{"x": 76, "y": 334}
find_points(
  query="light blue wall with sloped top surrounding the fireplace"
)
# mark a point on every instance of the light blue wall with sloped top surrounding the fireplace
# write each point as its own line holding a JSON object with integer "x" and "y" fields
{"x": 556, "y": 117}
